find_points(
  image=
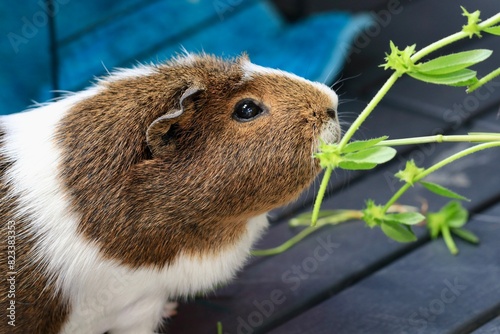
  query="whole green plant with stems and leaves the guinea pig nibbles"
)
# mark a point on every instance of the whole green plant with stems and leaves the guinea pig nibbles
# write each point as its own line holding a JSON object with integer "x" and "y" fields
{"x": 451, "y": 70}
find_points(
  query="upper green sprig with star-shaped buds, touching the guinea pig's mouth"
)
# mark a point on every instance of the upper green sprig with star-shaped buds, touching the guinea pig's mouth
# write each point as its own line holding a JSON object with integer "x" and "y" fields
{"x": 449, "y": 70}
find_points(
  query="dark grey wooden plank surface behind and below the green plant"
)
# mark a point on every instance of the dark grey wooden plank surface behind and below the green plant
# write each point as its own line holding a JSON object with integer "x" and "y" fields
{"x": 352, "y": 279}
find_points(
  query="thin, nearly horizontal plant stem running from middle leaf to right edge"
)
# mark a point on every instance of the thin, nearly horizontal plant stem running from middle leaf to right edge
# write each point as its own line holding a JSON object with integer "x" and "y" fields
{"x": 471, "y": 138}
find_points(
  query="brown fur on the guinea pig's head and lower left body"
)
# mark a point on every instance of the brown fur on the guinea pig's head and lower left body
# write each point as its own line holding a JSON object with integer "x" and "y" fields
{"x": 194, "y": 193}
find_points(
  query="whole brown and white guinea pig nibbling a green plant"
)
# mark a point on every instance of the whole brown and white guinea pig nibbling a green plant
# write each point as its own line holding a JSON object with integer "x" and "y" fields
{"x": 151, "y": 185}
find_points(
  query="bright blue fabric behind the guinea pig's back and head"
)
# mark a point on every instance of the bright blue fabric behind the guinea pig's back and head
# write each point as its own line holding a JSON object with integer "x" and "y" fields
{"x": 96, "y": 35}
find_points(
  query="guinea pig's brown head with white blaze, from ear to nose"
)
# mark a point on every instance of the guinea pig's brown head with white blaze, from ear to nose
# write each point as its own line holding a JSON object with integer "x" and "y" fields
{"x": 243, "y": 140}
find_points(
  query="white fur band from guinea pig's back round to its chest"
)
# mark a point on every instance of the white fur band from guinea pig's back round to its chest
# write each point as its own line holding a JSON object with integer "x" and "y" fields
{"x": 104, "y": 295}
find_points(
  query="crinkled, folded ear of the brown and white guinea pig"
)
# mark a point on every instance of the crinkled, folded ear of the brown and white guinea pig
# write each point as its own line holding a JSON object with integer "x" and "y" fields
{"x": 163, "y": 128}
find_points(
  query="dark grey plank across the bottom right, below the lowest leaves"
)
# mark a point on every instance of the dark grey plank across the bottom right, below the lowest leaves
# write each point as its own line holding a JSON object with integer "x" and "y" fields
{"x": 428, "y": 291}
